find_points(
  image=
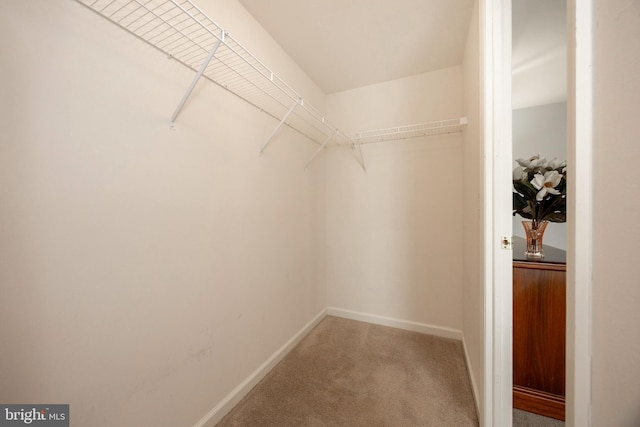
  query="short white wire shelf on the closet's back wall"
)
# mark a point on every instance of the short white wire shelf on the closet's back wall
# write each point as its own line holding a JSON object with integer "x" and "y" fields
{"x": 411, "y": 131}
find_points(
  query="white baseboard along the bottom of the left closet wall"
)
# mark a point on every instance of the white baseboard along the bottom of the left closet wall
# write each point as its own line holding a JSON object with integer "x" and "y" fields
{"x": 221, "y": 409}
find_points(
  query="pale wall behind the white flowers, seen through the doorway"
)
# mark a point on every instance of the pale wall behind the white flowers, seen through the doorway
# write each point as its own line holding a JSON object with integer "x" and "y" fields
{"x": 541, "y": 130}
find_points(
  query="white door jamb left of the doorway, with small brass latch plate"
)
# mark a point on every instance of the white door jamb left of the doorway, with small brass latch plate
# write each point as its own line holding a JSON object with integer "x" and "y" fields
{"x": 496, "y": 83}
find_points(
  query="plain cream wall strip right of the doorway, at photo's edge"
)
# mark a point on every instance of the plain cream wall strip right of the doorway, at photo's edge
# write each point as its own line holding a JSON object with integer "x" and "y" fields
{"x": 616, "y": 181}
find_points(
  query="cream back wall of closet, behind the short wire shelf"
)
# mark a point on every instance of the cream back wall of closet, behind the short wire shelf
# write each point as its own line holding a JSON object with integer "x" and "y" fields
{"x": 394, "y": 233}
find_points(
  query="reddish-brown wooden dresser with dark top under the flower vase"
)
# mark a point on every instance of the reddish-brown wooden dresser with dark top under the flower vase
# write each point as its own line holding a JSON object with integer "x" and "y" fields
{"x": 539, "y": 326}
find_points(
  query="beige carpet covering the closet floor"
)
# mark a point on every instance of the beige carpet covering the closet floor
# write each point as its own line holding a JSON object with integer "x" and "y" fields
{"x": 350, "y": 373}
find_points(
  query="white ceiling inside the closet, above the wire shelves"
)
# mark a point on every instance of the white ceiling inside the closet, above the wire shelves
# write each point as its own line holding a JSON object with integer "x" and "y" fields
{"x": 344, "y": 44}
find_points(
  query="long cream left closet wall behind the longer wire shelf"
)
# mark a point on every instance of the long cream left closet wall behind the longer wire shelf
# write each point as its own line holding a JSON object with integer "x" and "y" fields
{"x": 144, "y": 272}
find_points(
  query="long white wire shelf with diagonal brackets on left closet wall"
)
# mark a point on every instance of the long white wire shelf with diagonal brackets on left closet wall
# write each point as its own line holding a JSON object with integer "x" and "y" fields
{"x": 185, "y": 33}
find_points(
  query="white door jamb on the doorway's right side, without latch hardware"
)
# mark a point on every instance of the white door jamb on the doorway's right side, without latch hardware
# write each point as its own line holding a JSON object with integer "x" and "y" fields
{"x": 579, "y": 212}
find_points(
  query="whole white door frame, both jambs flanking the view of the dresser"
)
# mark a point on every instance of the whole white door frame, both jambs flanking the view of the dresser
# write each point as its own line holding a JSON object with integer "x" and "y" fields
{"x": 496, "y": 111}
